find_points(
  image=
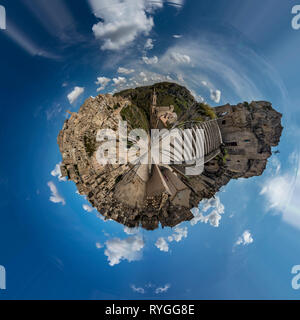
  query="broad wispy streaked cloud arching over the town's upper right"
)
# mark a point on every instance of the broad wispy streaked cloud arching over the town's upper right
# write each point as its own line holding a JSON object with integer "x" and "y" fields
{"x": 234, "y": 73}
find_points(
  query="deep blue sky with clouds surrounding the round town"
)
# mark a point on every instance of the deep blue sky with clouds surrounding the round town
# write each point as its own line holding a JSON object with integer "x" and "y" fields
{"x": 224, "y": 51}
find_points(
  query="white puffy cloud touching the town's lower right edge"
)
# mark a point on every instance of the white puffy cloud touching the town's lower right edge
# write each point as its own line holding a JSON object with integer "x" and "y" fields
{"x": 216, "y": 209}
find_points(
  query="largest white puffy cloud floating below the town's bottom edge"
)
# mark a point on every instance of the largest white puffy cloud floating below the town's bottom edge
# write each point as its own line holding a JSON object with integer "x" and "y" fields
{"x": 129, "y": 249}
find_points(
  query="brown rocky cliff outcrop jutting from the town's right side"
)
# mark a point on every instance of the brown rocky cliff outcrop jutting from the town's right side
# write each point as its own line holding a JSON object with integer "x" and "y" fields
{"x": 248, "y": 132}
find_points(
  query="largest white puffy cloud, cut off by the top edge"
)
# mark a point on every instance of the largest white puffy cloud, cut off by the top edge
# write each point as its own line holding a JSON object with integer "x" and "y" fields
{"x": 122, "y": 21}
